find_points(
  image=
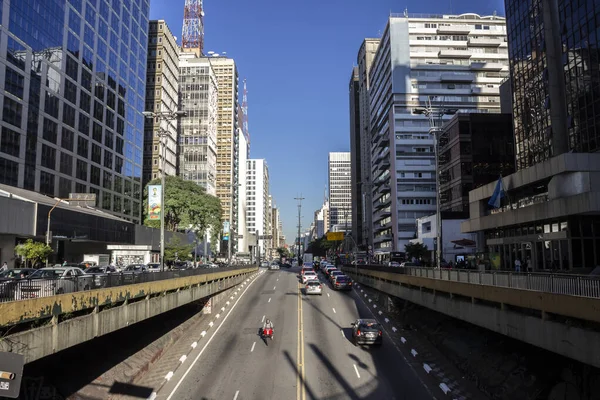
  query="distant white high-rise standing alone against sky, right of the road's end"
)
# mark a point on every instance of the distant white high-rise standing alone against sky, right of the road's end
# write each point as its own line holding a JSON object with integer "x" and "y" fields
{"x": 340, "y": 200}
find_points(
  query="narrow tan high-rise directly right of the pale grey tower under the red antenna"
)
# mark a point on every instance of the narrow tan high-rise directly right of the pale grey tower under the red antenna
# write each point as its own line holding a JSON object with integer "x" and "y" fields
{"x": 227, "y": 141}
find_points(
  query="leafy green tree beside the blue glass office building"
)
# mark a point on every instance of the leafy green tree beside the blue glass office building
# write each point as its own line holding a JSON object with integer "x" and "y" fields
{"x": 187, "y": 205}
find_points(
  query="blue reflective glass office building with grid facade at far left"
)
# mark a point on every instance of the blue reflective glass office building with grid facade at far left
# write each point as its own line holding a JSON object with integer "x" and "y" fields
{"x": 72, "y": 86}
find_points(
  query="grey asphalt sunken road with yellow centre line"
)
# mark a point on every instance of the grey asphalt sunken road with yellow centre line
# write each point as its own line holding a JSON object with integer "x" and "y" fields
{"x": 311, "y": 356}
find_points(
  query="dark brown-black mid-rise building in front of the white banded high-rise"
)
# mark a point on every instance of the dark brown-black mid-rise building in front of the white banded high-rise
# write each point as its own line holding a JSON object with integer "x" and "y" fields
{"x": 475, "y": 149}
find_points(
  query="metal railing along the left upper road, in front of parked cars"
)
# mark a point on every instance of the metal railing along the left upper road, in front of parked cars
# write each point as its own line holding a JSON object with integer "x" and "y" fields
{"x": 25, "y": 289}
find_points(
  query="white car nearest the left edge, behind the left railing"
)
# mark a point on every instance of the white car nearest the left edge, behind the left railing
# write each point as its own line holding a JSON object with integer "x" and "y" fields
{"x": 53, "y": 281}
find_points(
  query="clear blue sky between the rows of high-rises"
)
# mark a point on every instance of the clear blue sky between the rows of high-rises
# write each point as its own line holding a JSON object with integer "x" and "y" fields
{"x": 297, "y": 58}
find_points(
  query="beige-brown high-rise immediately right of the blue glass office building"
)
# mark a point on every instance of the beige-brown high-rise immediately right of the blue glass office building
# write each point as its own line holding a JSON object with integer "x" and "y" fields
{"x": 162, "y": 85}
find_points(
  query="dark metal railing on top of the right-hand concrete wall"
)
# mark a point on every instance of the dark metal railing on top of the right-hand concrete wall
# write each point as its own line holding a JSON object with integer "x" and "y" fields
{"x": 573, "y": 285}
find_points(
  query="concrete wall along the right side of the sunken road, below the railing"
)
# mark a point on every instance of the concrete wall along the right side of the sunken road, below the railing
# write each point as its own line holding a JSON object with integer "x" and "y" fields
{"x": 574, "y": 342}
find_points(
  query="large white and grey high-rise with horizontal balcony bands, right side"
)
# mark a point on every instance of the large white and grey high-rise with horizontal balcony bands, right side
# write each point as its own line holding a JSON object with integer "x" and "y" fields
{"x": 457, "y": 61}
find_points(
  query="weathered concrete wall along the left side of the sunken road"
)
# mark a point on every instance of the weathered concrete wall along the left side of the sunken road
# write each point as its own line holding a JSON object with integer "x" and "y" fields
{"x": 54, "y": 337}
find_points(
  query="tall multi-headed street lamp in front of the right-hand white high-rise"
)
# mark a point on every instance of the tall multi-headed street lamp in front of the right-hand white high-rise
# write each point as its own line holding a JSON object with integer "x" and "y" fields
{"x": 435, "y": 115}
